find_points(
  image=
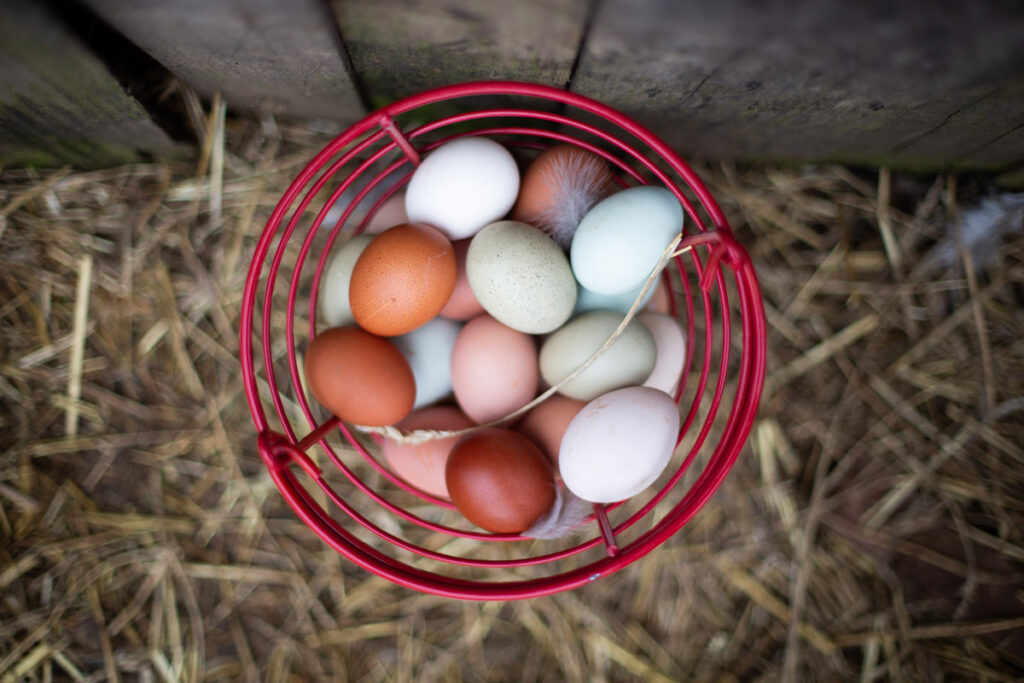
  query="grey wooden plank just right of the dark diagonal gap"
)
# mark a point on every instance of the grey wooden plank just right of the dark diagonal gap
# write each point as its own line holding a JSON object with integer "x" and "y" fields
{"x": 280, "y": 56}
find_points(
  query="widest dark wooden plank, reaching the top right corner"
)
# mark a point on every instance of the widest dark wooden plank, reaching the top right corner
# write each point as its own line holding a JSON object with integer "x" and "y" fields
{"x": 876, "y": 82}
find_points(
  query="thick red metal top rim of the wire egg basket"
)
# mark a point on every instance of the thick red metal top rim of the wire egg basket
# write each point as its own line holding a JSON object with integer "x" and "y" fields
{"x": 279, "y": 457}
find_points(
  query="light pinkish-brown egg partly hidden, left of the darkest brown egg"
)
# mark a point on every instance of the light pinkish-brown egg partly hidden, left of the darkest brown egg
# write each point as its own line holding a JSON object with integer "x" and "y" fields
{"x": 423, "y": 464}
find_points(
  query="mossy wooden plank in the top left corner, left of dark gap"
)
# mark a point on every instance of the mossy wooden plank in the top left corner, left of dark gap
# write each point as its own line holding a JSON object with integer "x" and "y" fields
{"x": 59, "y": 104}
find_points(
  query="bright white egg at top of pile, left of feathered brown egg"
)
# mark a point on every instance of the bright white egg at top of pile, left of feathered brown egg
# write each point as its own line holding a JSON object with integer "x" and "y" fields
{"x": 463, "y": 186}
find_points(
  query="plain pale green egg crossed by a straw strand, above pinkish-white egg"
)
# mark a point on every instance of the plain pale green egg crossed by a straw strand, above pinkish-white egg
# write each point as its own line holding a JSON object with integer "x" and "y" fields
{"x": 629, "y": 361}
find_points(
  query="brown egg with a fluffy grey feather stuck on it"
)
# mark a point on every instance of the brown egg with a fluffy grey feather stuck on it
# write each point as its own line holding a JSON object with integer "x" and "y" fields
{"x": 560, "y": 188}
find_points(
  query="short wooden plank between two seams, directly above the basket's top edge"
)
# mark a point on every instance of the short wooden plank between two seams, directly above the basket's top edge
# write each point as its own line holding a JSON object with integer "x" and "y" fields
{"x": 400, "y": 48}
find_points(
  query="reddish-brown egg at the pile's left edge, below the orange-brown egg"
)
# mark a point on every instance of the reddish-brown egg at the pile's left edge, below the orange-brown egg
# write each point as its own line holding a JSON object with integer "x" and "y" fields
{"x": 359, "y": 377}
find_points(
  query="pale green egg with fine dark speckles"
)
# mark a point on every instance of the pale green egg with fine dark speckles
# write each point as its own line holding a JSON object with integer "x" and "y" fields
{"x": 521, "y": 277}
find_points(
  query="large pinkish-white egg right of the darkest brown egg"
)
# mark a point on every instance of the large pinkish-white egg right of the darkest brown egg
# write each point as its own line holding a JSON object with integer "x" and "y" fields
{"x": 619, "y": 444}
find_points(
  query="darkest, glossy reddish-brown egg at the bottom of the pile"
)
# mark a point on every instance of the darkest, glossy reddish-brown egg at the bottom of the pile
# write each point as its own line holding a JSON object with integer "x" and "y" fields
{"x": 500, "y": 481}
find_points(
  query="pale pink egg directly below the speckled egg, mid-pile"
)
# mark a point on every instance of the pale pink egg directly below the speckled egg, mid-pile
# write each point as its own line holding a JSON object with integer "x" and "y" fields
{"x": 494, "y": 369}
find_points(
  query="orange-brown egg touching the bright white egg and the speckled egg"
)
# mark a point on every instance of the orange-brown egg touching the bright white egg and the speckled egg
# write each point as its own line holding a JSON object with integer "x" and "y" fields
{"x": 403, "y": 280}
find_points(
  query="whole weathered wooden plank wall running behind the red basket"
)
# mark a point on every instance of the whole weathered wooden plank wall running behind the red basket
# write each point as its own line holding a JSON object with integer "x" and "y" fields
{"x": 910, "y": 86}
